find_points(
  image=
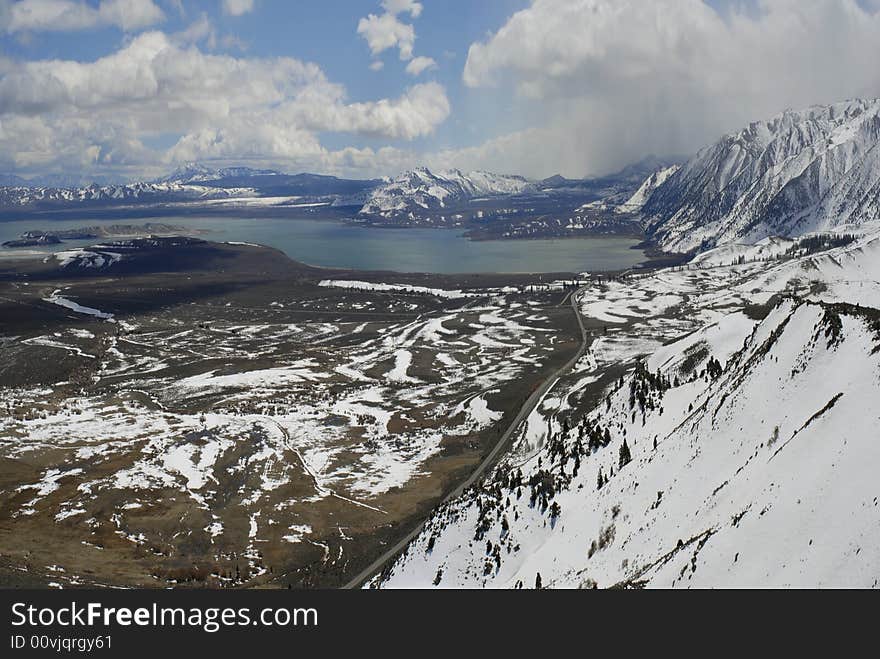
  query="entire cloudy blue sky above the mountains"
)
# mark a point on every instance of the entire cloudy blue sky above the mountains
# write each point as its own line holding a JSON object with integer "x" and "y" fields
{"x": 128, "y": 89}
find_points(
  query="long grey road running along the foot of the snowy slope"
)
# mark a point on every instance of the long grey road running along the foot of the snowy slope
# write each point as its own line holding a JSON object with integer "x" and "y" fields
{"x": 530, "y": 404}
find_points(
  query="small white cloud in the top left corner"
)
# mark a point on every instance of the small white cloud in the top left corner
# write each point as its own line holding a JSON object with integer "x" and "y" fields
{"x": 74, "y": 15}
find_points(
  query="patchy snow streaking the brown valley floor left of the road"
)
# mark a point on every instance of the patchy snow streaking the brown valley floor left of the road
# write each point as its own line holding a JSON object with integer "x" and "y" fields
{"x": 249, "y": 428}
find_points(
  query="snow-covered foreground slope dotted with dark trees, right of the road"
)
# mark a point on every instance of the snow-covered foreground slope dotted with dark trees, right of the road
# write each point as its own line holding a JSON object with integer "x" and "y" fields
{"x": 679, "y": 470}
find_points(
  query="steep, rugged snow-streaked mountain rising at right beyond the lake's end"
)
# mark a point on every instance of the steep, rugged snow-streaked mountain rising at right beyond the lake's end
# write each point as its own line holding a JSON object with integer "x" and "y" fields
{"x": 798, "y": 172}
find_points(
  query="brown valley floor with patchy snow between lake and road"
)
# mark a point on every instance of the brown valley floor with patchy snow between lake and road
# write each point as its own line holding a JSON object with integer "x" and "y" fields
{"x": 246, "y": 422}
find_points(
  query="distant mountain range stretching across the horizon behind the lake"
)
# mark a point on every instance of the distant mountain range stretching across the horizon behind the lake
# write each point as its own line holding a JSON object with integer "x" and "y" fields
{"x": 797, "y": 172}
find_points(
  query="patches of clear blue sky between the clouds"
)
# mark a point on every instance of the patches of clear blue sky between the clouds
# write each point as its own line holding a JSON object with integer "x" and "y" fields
{"x": 317, "y": 31}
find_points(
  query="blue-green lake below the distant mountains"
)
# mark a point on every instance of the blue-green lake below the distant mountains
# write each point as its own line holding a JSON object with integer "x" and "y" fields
{"x": 331, "y": 243}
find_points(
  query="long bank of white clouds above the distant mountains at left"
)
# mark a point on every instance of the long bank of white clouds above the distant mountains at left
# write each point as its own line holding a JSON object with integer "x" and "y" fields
{"x": 66, "y": 113}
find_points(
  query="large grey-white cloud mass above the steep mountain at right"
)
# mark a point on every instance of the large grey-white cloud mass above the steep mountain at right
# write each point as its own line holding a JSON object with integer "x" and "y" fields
{"x": 617, "y": 79}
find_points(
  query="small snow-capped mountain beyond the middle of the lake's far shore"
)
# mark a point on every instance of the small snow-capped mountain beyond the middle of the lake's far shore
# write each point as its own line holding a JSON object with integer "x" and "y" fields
{"x": 421, "y": 189}
